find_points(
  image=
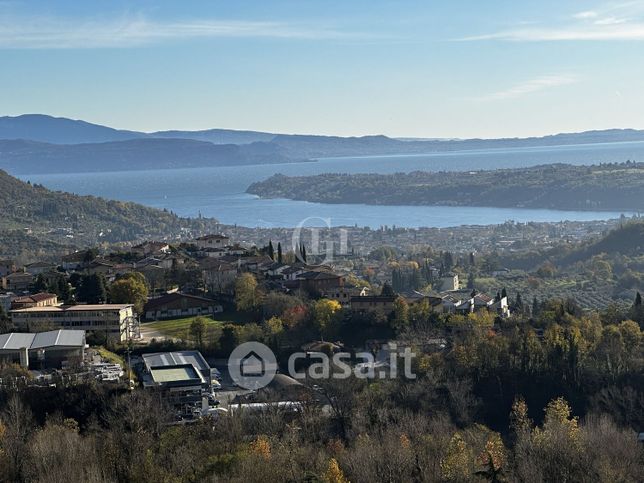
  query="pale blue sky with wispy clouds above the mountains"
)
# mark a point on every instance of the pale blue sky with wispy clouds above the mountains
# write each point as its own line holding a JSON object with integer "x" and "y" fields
{"x": 429, "y": 68}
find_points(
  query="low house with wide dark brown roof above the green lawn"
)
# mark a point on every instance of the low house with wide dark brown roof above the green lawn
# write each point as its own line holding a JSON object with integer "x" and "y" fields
{"x": 175, "y": 305}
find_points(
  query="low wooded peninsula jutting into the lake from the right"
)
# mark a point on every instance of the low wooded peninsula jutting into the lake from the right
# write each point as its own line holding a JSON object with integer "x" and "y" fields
{"x": 554, "y": 186}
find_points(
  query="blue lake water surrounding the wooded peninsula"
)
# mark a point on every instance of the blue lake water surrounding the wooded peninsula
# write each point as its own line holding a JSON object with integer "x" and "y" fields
{"x": 220, "y": 192}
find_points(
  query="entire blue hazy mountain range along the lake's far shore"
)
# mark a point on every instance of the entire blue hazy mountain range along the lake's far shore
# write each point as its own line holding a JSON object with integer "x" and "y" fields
{"x": 36, "y": 143}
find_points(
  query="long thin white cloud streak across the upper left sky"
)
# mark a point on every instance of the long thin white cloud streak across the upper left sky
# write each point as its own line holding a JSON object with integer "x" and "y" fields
{"x": 61, "y": 33}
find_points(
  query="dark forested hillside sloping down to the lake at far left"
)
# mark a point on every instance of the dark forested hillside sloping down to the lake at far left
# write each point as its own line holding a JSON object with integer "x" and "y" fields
{"x": 83, "y": 220}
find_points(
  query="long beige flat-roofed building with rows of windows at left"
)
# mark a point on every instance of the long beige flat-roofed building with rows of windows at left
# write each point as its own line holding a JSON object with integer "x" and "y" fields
{"x": 109, "y": 320}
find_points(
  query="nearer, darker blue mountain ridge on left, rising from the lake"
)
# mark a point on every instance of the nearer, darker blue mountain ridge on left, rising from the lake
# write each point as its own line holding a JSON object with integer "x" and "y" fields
{"x": 28, "y": 157}
